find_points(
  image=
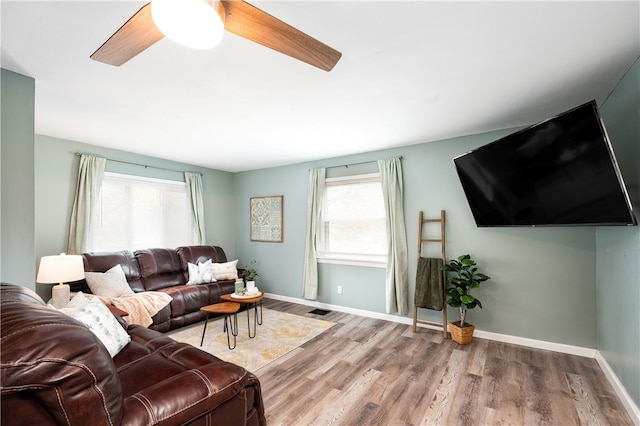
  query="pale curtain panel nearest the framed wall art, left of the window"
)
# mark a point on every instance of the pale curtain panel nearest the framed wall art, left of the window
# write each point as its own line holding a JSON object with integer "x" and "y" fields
{"x": 314, "y": 210}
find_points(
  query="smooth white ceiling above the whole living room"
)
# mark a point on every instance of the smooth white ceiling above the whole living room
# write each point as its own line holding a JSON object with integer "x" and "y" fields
{"x": 411, "y": 72}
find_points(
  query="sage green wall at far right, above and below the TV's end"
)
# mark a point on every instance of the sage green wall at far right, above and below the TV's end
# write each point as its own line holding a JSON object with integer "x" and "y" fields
{"x": 618, "y": 249}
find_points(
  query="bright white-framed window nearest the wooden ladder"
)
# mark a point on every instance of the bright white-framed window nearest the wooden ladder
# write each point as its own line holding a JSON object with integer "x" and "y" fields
{"x": 353, "y": 229}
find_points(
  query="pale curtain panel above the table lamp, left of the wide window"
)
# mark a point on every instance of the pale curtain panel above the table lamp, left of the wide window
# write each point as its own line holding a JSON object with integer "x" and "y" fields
{"x": 90, "y": 174}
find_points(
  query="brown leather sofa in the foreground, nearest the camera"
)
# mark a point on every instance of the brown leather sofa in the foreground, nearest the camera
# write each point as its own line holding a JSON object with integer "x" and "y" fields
{"x": 54, "y": 370}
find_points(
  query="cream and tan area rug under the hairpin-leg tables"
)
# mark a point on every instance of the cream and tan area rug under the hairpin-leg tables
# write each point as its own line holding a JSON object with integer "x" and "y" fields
{"x": 279, "y": 333}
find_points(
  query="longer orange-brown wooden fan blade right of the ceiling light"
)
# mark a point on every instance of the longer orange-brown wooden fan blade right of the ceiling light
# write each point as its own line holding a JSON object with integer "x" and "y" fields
{"x": 254, "y": 24}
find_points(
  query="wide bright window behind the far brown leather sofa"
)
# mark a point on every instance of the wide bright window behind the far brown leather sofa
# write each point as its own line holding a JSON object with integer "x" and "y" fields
{"x": 134, "y": 213}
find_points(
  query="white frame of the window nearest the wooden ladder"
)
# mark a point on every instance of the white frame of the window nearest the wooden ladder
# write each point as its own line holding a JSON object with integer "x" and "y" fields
{"x": 353, "y": 259}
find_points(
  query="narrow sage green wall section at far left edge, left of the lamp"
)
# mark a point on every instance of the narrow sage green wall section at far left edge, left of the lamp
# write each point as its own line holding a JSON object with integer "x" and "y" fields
{"x": 17, "y": 248}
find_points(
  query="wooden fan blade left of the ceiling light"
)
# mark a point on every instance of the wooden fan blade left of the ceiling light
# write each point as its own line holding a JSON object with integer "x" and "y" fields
{"x": 137, "y": 34}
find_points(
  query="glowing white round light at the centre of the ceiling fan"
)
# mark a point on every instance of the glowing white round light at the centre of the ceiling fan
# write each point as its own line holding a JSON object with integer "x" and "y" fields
{"x": 198, "y": 24}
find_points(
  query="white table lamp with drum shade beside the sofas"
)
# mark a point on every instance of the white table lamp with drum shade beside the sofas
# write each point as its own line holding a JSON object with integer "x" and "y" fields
{"x": 60, "y": 269}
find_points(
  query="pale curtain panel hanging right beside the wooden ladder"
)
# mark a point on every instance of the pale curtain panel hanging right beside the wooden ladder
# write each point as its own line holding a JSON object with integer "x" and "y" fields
{"x": 397, "y": 280}
